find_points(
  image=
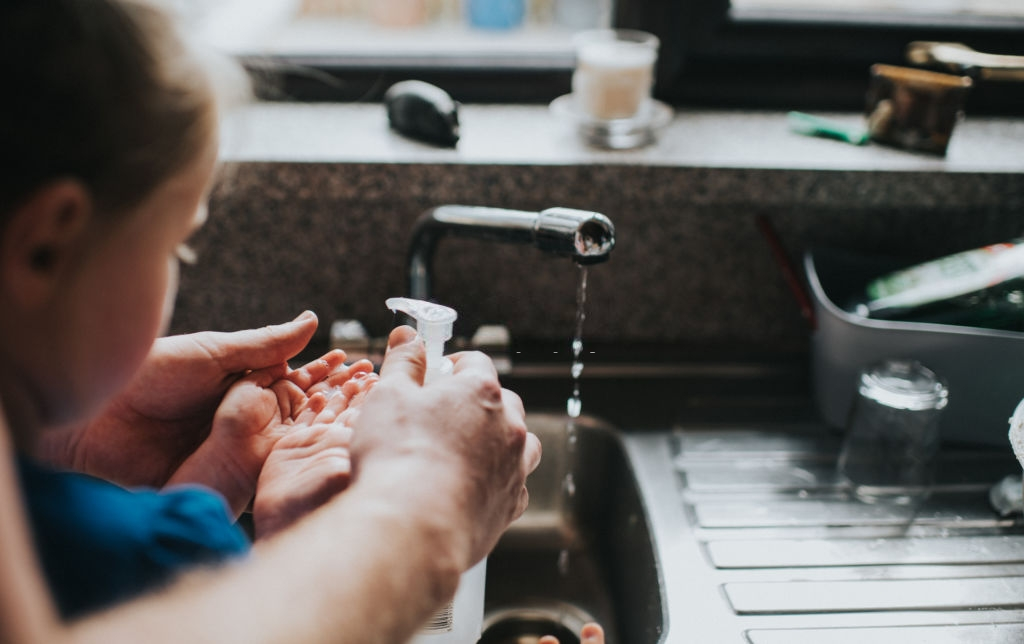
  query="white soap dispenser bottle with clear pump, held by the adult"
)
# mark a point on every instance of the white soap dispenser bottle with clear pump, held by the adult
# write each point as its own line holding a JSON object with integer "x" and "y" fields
{"x": 460, "y": 621}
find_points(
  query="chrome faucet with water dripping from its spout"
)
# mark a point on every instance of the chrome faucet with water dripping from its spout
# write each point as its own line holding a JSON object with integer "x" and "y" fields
{"x": 585, "y": 237}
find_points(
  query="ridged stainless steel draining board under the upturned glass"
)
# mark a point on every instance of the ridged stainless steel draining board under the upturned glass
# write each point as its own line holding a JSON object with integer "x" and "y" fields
{"x": 761, "y": 544}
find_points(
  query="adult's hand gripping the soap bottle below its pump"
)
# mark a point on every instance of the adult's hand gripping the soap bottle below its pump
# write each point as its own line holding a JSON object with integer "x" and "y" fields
{"x": 455, "y": 452}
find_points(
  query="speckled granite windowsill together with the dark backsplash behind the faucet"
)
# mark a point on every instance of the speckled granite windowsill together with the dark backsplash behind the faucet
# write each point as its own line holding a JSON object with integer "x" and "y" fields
{"x": 316, "y": 204}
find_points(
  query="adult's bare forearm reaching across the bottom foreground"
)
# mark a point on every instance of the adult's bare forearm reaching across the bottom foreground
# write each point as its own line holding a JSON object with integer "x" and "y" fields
{"x": 360, "y": 571}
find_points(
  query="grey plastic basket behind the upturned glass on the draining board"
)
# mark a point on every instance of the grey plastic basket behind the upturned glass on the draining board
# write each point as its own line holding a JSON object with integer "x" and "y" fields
{"x": 985, "y": 368}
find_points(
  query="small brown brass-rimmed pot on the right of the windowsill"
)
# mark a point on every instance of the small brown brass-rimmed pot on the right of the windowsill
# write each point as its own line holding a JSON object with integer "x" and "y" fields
{"x": 915, "y": 109}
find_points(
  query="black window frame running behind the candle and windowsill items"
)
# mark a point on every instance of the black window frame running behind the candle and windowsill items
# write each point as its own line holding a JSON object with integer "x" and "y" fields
{"x": 711, "y": 56}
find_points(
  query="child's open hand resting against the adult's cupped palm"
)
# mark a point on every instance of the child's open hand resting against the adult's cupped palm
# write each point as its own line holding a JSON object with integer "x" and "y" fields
{"x": 257, "y": 413}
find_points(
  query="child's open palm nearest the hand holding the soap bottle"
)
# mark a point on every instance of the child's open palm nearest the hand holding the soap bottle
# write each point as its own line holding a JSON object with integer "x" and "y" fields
{"x": 311, "y": 464}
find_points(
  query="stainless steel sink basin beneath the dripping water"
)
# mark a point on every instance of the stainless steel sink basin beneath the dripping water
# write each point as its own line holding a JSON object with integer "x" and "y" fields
{"x": 582, "y": 551}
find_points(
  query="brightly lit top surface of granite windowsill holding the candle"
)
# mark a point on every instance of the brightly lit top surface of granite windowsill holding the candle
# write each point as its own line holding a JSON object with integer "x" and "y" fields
{"x": 533, "y": 136}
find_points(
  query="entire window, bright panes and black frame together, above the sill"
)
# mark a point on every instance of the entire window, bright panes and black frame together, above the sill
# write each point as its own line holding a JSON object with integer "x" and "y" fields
{"x": 750, "y": 54}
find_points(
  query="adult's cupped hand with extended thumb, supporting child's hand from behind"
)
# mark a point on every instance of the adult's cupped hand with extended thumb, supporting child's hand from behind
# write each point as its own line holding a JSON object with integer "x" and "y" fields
{"x": 165, "y": 413}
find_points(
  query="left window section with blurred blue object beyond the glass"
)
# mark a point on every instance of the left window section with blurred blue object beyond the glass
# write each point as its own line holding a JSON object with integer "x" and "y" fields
{"x": 480, "y": 51}
